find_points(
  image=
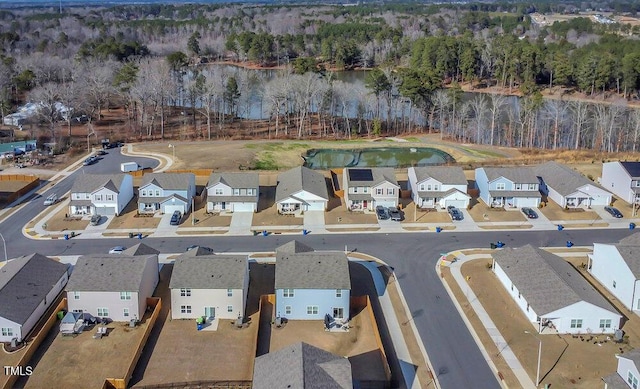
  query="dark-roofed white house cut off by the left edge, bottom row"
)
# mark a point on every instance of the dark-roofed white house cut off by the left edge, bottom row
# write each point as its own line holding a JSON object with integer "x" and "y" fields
{"x": 28, "y": 287}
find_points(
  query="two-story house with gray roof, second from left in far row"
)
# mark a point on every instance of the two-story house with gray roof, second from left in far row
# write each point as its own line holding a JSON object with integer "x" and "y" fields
{"x": 166, "y": 192}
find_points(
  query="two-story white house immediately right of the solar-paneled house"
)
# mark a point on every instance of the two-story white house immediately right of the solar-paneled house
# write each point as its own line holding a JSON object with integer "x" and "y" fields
{"x": 438, "y": 187}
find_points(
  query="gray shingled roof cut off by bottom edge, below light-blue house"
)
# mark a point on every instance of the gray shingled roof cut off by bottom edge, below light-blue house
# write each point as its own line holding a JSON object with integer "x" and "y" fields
{"x": 302, "y": 366}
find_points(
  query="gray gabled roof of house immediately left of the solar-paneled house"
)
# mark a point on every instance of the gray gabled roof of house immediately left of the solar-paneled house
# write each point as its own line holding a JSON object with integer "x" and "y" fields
{"x": 301, "y": 178}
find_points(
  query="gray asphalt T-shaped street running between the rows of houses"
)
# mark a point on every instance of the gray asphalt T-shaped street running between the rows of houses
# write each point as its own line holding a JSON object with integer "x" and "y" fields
{"x": 456, "y": 359}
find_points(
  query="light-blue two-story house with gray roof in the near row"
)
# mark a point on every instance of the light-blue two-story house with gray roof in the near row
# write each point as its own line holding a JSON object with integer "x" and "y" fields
{"x": 310, "y": 285}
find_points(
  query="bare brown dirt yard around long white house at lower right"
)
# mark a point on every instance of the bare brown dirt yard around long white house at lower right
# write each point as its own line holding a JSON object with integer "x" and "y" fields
{"x": 567, "y": 361}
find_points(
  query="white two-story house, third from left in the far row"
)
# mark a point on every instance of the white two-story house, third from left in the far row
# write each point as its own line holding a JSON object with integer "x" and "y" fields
{"x": 233, "y": 192}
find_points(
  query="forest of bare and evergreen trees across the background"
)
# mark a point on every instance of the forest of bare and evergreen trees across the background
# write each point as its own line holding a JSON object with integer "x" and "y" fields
{"x": 570, "y": 84}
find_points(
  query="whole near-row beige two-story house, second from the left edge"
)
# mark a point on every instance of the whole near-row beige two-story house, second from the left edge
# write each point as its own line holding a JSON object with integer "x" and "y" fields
{"x": 112, "y": 286}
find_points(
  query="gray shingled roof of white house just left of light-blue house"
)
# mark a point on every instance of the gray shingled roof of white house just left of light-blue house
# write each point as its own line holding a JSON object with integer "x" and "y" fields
{"x": 210, "y": 272}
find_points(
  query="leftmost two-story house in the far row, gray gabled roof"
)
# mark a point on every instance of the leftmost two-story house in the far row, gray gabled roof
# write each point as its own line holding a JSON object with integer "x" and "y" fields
{"x": 102, "y": 194}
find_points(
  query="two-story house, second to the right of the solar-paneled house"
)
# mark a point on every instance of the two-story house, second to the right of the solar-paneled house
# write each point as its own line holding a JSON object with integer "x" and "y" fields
{"x": 512, "y": 187}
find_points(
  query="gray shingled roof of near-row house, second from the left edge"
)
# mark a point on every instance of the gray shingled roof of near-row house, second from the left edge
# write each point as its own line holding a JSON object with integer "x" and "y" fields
{"x": 108, "y": 273}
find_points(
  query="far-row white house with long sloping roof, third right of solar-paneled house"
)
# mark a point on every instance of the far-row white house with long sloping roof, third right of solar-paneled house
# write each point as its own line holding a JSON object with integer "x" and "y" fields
{"x": 568, "y": 188}
